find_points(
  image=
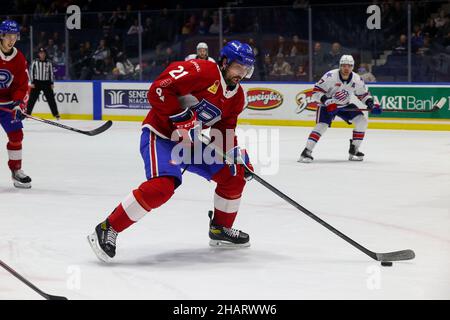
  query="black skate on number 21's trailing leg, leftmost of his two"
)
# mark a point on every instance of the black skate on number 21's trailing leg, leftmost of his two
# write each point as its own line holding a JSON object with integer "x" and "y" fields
{"x": 103, "y": 241}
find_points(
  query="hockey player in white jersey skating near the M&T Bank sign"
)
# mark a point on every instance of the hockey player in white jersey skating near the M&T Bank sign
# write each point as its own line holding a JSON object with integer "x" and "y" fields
{"x": 333, "y": 92}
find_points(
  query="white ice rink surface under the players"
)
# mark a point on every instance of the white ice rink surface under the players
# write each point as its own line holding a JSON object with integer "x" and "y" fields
{"x": 398, "y": 198}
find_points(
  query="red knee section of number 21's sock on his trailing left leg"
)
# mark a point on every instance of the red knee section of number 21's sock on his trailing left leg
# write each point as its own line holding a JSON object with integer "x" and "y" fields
{"x": 155, "y": 192}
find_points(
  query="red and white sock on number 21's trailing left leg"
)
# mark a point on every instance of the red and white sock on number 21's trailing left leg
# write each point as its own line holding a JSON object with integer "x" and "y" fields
{"x": 150, "y": 195}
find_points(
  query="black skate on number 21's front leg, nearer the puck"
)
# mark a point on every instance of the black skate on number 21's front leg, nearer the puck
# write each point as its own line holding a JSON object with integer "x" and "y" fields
{"x": 226, "y": 237}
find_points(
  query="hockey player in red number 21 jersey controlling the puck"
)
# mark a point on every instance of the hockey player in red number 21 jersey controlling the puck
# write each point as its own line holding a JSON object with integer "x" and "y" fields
{"x": 187, "y": 97}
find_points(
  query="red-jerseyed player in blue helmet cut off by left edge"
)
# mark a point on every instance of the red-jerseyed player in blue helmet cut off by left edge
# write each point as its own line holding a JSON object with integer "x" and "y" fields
{"x": 14, "y": 96}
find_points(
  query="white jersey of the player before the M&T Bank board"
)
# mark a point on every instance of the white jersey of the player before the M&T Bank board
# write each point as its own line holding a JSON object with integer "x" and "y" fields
{"x": 333, "y": 86}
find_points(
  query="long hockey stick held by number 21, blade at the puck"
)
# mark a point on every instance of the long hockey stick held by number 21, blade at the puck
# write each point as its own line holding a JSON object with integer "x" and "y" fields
{"x": 383, "y": 257}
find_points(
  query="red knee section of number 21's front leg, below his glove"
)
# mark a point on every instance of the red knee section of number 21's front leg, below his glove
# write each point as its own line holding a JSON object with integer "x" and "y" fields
{"x": 229, "y": 186}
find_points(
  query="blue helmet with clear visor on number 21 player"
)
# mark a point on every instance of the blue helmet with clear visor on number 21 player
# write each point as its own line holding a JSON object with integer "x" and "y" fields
{"x": 242, "y": 53}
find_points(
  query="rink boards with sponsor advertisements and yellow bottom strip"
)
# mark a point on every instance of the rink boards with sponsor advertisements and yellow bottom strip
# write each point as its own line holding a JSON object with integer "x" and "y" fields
{"x": 280, "y": 104}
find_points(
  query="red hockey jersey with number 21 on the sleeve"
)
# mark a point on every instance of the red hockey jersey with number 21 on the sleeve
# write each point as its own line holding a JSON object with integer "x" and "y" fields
{"x": 196, "y": 84}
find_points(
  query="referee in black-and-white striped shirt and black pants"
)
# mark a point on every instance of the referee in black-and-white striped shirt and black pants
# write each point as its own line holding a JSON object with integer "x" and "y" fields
{"x": 41, "y": 74}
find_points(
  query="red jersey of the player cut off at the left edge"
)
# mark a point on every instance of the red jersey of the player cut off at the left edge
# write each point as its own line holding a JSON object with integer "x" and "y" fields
{"x": 13, "y": 77}
